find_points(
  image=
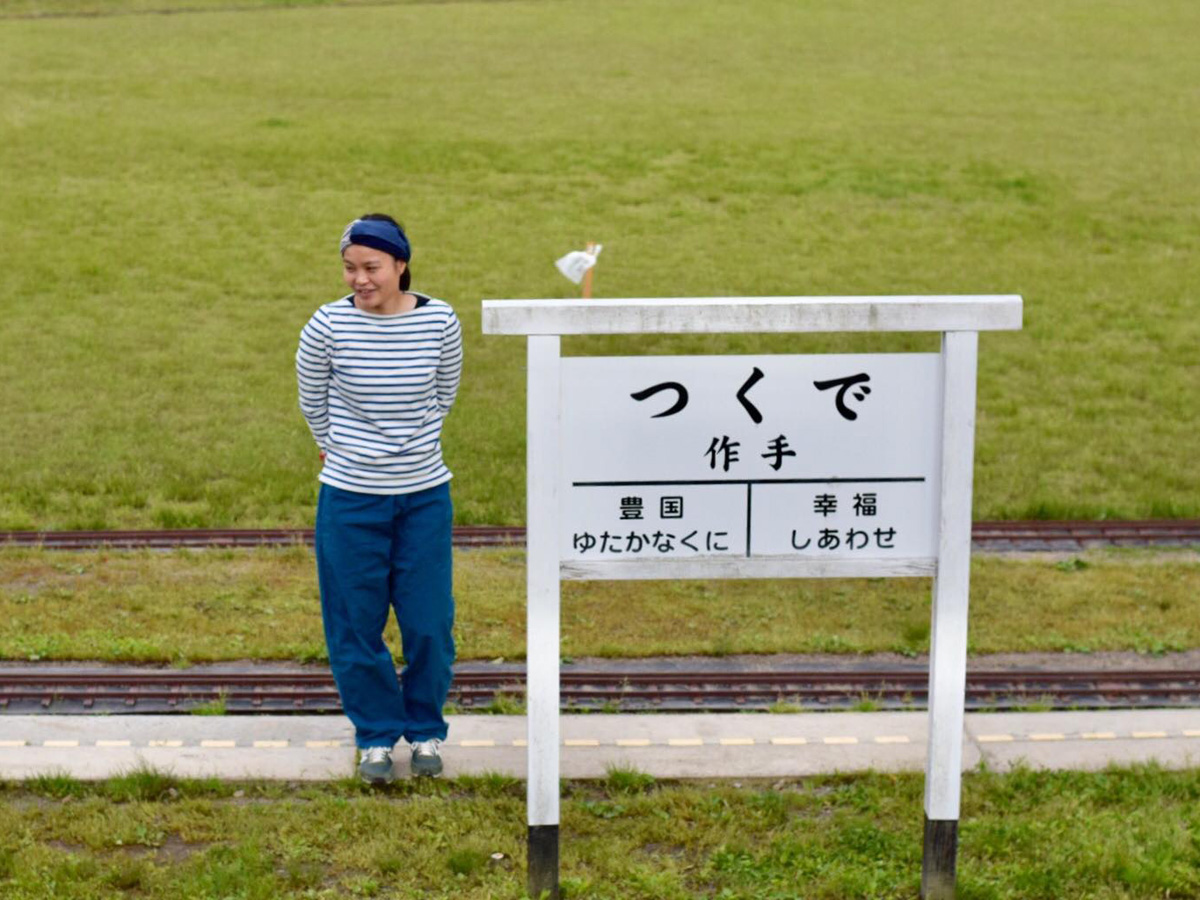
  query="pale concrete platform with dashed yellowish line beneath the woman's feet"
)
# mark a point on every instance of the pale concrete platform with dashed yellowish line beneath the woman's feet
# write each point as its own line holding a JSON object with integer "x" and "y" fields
{"x": 683, "y": 746}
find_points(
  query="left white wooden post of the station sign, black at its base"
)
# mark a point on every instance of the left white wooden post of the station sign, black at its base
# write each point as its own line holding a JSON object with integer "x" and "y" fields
{"x": 543, "y": 418}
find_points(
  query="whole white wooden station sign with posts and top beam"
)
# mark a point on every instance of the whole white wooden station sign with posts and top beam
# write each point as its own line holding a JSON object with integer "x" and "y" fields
{"x": 772, "y": 466}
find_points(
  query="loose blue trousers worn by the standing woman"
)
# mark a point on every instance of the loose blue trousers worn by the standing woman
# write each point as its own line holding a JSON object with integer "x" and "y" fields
{"x": 375, "y": 554}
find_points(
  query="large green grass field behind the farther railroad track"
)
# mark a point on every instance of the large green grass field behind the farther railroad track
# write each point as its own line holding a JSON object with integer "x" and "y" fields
{"x": 175, "y": 188}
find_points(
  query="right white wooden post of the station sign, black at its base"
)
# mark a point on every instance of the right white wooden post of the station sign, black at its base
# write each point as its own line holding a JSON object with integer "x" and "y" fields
{"x": 949, "y": 639}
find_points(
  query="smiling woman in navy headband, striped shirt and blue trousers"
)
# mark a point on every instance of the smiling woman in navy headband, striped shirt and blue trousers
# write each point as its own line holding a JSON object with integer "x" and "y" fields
{"x": 379, "y": 373}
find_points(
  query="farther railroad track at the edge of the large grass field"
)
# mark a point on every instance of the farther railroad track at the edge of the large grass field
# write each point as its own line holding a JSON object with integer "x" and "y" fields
{"x": 1061, "y": 536}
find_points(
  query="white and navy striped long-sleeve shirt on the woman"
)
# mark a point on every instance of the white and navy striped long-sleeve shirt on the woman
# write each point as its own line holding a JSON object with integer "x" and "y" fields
{"x": 375, "y": 391}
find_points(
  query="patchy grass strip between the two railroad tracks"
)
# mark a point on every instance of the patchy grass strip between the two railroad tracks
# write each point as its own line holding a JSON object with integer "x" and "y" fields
{"x": 193, "y": 608}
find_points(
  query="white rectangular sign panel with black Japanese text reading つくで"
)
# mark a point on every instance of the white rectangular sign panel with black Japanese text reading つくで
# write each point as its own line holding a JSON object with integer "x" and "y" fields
{"x": 820, "y": 457}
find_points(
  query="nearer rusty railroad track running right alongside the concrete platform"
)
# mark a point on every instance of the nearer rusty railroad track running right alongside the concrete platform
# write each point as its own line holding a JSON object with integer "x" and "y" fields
{"x": 47, "y": 689}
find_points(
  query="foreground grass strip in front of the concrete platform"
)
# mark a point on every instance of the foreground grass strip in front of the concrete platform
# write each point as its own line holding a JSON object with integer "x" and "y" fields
{"x": 1027, "y": 836}
